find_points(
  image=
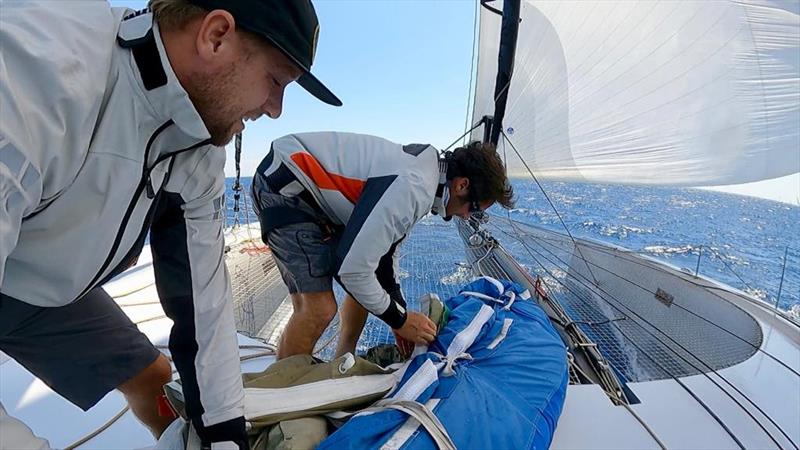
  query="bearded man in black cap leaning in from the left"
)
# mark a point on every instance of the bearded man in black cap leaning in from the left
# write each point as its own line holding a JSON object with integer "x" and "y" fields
{"x": 110, "y": 129}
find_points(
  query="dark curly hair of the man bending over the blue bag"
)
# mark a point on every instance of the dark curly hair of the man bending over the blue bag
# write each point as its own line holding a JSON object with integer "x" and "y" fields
{"x": 480, "y": 163}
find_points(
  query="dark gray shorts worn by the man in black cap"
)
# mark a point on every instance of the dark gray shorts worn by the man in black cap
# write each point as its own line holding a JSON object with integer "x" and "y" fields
{"x": 82, "y": 350}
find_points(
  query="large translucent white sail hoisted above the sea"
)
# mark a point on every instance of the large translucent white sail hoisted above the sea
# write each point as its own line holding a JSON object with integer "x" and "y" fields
{"x": 692, "y": 93}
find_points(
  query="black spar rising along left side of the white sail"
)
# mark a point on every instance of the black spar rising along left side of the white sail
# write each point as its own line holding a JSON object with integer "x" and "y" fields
{"x": 505, "y": 64}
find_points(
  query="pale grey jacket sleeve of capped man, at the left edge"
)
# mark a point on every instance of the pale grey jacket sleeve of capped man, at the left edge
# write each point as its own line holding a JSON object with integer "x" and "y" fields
{"x": 52, "y": 79}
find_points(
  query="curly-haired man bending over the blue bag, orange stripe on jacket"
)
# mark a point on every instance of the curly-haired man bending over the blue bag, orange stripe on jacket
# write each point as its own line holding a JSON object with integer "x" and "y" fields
{"x": 337, "y": 205}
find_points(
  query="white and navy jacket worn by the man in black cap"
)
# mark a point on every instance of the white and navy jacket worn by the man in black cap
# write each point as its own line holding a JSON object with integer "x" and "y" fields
{"x": 99, "y": 143}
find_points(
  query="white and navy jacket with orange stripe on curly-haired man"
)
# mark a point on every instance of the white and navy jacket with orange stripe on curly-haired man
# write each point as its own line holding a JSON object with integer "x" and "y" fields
{"x": 373, "y": 187}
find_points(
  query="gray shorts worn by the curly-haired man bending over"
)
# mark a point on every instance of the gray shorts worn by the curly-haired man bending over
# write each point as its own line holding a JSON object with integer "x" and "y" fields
{"x": 305, "y": 252}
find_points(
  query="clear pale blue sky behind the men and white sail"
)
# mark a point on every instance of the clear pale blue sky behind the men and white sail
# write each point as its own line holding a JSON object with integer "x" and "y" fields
{"x": 402, "y": 69}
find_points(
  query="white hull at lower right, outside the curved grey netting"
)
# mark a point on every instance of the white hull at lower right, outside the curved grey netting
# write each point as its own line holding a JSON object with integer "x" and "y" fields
{"x": 591, "y": 421}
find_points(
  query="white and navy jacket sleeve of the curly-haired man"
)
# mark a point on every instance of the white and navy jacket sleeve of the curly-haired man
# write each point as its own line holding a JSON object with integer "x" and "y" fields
{"x": 385, "y": 212}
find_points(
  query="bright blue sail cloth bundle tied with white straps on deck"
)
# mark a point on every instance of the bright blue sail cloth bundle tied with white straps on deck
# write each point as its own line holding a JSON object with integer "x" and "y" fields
{"x": 495, "y": 377}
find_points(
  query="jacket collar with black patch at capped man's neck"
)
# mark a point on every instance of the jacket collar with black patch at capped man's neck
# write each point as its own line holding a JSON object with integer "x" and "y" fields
{"x": 139, "y": 33}
